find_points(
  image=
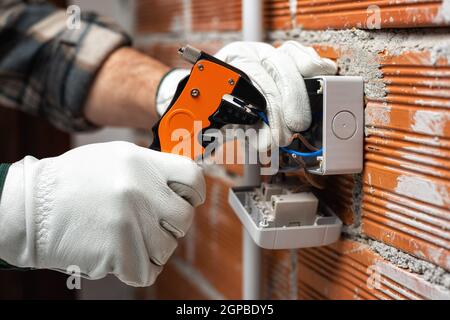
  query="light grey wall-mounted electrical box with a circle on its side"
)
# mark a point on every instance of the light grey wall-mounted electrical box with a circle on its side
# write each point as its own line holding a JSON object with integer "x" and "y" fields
{"x": 337, "y": 106}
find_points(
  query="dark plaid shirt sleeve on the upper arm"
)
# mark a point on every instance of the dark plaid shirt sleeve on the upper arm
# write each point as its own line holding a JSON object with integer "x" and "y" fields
{"x": 46, "y": 65}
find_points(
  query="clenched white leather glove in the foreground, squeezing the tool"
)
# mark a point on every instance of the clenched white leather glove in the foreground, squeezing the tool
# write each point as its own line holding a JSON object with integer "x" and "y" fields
{"x": 107, "y": 208}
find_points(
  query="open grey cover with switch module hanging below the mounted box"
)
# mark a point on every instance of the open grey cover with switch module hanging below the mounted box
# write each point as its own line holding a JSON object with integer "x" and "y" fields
{"x": 277, "y": 217}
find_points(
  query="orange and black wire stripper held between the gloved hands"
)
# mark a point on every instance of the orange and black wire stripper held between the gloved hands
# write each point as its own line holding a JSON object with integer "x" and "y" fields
{"x": 213, "y": 95}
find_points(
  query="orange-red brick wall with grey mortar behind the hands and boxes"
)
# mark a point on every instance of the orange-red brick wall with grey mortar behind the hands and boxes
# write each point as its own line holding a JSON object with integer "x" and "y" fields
{"x": 397, "y": 213}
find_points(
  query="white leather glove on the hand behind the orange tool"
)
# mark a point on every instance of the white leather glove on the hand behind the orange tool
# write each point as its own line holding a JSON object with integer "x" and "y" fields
{"x": 278, "y": 74}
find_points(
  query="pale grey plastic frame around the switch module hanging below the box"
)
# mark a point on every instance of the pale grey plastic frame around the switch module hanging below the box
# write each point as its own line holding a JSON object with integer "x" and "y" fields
{"x": 323, "y": 232}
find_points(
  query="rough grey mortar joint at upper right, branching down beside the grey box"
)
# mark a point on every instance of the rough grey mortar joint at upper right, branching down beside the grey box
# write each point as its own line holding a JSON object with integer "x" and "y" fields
{"x": 360, "y": 49}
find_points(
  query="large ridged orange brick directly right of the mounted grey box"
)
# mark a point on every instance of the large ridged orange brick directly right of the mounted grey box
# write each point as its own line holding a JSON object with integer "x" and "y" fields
{"x": 407, "y": 176}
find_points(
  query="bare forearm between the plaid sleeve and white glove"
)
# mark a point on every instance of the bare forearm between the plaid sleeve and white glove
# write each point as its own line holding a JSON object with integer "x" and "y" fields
{"x": 124, "y": 90}
